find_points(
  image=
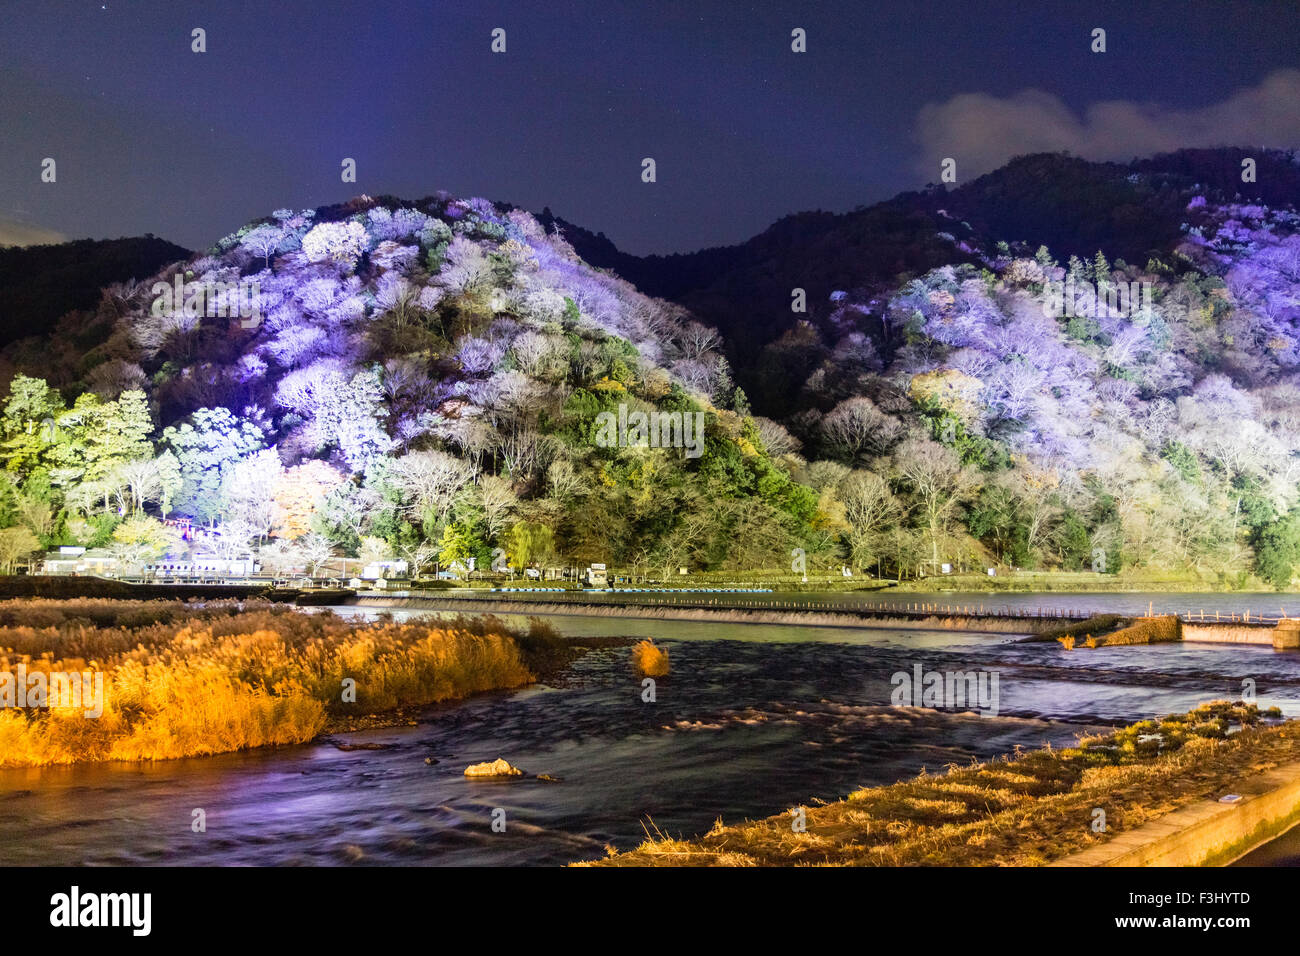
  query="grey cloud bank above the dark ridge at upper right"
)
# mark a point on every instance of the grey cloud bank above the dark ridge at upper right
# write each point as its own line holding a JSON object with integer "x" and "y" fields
{"x": 983, "y": 132}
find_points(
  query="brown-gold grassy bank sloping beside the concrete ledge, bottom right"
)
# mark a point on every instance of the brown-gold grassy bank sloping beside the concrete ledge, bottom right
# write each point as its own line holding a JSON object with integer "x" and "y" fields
{"x": 1026, "y": 810}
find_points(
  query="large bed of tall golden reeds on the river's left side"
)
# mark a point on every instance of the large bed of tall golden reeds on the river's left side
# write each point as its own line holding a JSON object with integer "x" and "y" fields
{"x": 185, "y": 681}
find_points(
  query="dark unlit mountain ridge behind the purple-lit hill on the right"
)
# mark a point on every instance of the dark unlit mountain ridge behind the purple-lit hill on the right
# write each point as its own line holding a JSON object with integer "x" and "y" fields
{"x": 1072, "y": 206}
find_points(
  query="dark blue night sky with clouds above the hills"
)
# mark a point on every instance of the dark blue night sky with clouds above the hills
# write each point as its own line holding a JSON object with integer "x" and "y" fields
{"x": 151, "y": 137}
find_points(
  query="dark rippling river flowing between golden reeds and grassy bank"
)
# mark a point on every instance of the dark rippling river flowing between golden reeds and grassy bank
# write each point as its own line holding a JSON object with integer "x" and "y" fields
{"x": 752, "y": 721}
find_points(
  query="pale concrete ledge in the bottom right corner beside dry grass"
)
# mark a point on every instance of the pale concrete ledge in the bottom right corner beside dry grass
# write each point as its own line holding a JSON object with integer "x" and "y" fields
{"x": 1208, "y": 833}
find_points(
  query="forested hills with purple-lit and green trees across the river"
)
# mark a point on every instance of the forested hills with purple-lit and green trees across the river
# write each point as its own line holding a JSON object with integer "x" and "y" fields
{"x": 450, "y": 379}
